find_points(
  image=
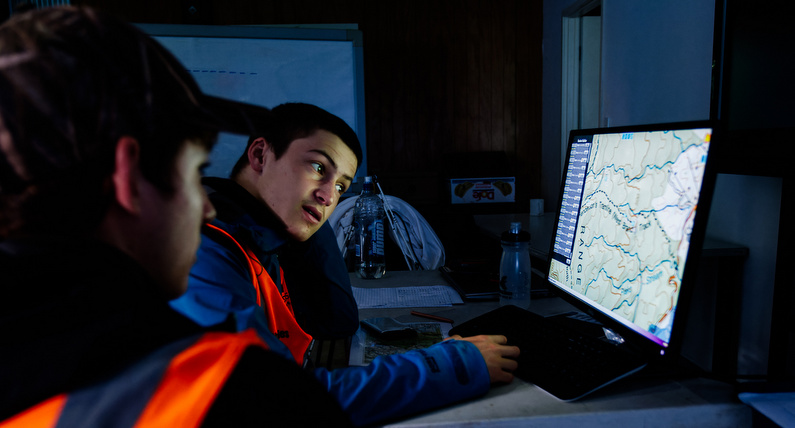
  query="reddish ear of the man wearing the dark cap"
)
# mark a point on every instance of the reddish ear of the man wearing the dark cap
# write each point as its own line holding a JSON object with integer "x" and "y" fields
{"x": 126, "y": 174}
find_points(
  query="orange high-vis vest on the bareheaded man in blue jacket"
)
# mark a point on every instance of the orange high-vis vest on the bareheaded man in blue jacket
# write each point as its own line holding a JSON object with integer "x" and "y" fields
{"x": 277, "y": 307}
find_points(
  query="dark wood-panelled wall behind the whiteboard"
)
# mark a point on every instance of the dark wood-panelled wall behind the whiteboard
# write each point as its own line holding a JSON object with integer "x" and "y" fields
{"x": 452, "y": 87}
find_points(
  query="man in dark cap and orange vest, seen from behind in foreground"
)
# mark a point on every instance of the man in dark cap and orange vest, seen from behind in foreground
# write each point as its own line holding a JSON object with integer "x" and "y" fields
{"x": 103, "y": 136}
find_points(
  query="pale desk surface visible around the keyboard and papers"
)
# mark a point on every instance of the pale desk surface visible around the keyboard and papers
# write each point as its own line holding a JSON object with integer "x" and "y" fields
{"x": 630, "y": 402}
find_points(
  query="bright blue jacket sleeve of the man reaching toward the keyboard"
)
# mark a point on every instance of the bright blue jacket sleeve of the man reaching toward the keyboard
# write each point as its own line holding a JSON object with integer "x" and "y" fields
{"x": 391, "y": 386}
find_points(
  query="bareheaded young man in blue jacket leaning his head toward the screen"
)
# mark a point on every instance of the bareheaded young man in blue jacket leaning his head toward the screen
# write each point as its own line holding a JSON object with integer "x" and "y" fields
{"x": 282, "y": 191}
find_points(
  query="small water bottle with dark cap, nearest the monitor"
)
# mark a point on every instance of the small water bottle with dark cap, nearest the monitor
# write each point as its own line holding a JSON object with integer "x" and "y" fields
{"x": 515, "y": 267}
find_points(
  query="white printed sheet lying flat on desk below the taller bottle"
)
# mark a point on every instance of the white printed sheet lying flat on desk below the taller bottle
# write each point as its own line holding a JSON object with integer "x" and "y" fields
{"x": 434, "y": 296}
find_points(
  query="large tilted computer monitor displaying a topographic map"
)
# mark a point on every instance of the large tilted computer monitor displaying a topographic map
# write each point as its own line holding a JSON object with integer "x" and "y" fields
{"x": 634, "y": 204}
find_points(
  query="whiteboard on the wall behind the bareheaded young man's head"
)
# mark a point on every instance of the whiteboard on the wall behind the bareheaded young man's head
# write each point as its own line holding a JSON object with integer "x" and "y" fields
{"x": 269, "y": 66}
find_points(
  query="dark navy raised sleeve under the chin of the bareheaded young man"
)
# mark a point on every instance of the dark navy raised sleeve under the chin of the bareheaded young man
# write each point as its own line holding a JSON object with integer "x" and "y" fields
{"x": 319, "y": 285}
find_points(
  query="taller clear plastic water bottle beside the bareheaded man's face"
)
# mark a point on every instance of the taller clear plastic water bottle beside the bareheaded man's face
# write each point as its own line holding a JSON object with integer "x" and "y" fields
{"x": 368, "y": 216}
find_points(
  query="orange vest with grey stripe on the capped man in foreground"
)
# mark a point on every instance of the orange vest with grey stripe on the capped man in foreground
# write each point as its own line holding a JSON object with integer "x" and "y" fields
{"x": 171, "y": 387}
